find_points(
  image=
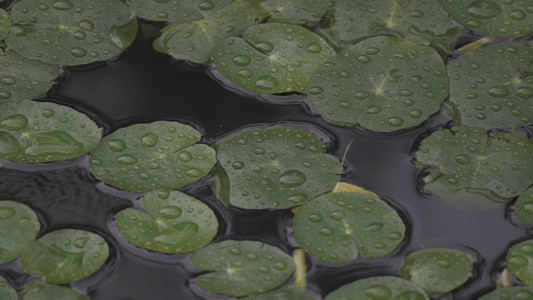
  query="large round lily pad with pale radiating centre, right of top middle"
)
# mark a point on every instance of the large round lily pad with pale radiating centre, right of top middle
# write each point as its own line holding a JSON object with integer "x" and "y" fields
{"x": 383, "y": 84}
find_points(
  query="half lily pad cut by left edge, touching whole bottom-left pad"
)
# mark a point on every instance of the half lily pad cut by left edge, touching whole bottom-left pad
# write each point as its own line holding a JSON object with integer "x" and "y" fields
{"x": 19, "y": 226}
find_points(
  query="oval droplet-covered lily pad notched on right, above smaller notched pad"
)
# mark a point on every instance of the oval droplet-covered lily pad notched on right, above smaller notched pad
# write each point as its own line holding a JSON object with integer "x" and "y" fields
{"x": 148, "y": 157}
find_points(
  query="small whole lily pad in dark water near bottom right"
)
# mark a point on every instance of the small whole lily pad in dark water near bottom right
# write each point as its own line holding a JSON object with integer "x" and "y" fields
{"x": 438, "y": 270}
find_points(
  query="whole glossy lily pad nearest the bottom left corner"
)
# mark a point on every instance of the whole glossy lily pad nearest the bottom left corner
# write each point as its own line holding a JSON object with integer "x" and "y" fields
{"x": 65, "y": 255}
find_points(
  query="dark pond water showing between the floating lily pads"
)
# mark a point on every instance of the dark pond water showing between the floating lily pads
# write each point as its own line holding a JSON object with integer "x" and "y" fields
{"x": 143, "y": 85}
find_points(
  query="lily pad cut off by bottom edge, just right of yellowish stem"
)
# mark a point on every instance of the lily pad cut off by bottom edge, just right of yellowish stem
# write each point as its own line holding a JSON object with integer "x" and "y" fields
{"x": 382, "y": 287}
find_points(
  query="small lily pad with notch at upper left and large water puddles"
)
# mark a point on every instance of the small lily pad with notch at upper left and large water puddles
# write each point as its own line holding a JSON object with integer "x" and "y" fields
{"x": 175, "y": 223}
